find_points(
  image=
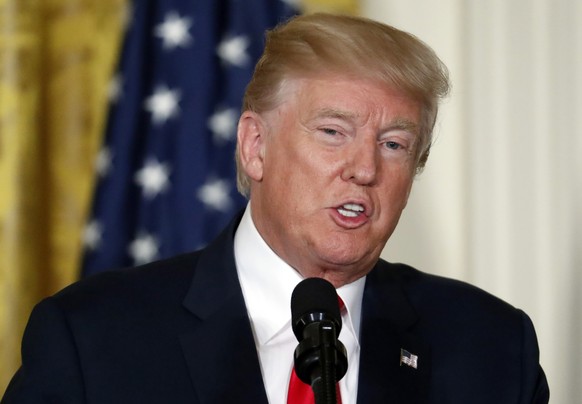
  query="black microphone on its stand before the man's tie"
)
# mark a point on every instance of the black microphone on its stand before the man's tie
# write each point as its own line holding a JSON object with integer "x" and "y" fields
{"x": 320, "y": 358}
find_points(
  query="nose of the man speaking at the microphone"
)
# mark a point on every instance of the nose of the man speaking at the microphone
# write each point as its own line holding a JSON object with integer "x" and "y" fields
{"x": 362, "y": 163}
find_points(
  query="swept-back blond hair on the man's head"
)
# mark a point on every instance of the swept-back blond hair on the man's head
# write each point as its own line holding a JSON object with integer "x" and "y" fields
{"x": 360, "y": 47}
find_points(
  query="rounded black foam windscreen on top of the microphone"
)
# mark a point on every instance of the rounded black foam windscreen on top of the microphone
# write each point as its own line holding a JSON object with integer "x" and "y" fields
{"x": 314, "y": 296}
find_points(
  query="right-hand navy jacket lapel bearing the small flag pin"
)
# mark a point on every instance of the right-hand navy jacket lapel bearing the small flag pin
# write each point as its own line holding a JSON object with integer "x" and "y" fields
{"x": 387, "y": 317}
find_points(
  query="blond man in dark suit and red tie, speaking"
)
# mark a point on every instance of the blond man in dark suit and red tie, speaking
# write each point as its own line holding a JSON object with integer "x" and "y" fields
{"x": 336, "y": 123}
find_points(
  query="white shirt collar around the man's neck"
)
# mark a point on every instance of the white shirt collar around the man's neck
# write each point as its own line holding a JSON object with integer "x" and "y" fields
{"x": 267, "y": 283}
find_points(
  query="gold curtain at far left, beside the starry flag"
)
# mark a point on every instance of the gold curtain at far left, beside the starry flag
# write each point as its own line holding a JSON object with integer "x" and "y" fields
{"x": 56, "y": 57}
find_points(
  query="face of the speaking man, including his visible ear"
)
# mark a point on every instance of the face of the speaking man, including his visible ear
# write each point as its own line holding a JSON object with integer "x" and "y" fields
{"x": 331, "y": 170}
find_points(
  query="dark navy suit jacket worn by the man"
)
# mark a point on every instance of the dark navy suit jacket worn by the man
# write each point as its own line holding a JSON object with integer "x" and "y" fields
{"x": 177, "y": 331}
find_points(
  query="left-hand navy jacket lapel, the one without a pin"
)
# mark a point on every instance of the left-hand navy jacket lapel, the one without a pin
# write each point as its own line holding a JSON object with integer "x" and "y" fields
{"x": 220, "y": 352}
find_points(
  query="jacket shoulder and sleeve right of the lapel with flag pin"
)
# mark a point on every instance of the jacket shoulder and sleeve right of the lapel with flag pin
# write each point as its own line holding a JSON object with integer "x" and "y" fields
{"x": 474, "y": 340}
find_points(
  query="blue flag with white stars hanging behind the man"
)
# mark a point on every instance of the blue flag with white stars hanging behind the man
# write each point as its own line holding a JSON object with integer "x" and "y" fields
{"x": 166, "y": 173}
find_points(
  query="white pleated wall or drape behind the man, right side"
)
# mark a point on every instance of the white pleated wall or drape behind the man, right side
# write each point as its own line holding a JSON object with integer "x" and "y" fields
{"x": 500, "y": 202}
